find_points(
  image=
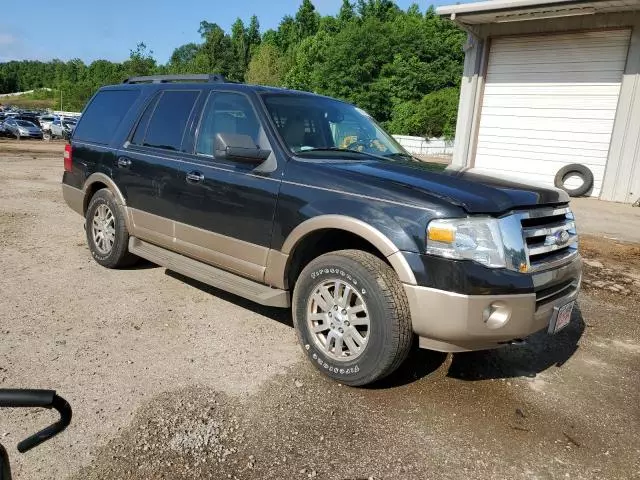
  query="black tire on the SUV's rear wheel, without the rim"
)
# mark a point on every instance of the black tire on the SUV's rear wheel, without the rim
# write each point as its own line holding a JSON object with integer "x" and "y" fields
{"x": 118, "y": 255}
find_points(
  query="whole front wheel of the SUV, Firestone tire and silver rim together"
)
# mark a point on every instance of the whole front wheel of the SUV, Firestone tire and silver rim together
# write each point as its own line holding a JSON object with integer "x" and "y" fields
{"x": 352, "y": 317}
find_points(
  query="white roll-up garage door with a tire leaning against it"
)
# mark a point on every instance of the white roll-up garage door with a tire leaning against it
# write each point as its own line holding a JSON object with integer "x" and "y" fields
{"x": 550, "y": 100}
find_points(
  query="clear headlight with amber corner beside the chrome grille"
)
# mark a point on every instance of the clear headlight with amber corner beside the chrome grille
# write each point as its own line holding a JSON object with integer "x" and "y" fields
{"x": 477, "y": 239}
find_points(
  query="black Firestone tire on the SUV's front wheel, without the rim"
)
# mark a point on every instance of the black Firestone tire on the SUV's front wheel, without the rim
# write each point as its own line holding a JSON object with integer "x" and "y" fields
{"x": 390, "y": 334}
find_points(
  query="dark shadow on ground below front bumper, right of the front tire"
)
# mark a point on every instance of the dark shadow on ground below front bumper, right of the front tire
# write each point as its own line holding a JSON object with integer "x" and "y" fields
{"x": 541, "y": 352}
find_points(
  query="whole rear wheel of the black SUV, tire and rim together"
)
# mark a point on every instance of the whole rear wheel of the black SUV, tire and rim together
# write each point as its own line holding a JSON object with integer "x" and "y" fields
{"x": 106, "y": 230}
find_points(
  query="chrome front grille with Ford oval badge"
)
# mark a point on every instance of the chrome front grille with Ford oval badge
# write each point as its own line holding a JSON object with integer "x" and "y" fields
{"x": 550, "y": 237}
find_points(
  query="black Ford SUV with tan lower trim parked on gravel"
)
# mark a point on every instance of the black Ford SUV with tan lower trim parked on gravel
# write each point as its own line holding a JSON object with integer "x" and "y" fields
{"x": 293, "y": 199}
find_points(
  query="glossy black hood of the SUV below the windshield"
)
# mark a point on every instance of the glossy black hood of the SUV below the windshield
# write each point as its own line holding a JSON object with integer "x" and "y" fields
{"x": 419, "y": 181}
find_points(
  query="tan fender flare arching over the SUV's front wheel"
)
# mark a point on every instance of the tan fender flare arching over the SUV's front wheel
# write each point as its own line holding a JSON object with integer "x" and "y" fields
{"x": 352, "y": 225}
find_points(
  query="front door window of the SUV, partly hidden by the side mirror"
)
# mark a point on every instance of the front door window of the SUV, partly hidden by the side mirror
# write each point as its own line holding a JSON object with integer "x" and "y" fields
{"x": 227, "y": 113}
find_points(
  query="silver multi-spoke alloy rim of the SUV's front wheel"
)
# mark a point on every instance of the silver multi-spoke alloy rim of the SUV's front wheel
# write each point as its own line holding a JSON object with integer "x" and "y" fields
{"x": 338, "y": 320}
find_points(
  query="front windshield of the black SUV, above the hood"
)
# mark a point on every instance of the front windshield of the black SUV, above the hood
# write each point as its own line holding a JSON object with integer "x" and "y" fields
{"x": 310, "y": 124}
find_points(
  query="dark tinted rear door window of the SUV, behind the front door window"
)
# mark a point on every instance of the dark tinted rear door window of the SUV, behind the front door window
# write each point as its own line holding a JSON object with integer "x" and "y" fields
{"x": 169, "y": 119}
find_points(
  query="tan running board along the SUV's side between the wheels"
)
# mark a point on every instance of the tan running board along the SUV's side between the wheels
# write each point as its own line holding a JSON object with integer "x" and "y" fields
{"x": 229, "y": 282}
